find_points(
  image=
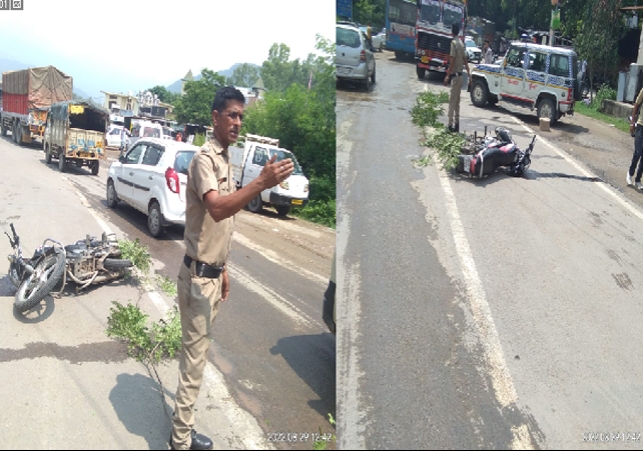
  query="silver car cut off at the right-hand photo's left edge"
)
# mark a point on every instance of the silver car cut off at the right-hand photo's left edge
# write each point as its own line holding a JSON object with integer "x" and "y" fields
{"x": 354, "y": 58}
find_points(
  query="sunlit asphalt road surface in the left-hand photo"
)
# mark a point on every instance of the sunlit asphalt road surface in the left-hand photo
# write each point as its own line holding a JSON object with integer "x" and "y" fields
{"x": 272, "y": 360}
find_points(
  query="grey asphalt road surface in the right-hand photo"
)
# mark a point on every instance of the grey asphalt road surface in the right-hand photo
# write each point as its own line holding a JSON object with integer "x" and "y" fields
{"x": 497, "y": 313}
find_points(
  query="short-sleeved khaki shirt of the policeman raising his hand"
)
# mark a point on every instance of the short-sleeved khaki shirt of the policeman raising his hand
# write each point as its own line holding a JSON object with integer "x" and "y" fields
{"x": 206, "y": 240}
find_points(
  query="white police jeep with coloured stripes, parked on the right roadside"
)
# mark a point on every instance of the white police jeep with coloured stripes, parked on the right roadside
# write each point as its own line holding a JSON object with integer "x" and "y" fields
{"x": 533, "y": 76}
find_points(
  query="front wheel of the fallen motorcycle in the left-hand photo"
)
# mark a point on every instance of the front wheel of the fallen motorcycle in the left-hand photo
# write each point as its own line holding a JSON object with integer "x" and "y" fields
{"x": 46, "y": 275}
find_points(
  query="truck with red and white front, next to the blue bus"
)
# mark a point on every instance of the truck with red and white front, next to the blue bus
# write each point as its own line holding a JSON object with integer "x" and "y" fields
{"x": 433, "y": 39}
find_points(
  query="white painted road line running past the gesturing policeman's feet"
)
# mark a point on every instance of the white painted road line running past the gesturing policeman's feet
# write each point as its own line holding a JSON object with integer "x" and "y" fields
{"x": 251, "y": 433}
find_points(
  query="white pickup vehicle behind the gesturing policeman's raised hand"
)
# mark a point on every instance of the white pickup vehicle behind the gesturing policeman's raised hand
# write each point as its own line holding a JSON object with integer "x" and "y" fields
{"x": 247, "y": 163}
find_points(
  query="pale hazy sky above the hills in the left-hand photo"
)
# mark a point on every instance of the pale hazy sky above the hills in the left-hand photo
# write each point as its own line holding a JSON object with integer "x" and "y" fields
{"x": 121, "y": 46}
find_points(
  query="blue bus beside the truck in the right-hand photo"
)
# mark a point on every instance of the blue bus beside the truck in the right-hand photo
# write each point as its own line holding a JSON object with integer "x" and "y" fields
{"x": 401, "y": 18}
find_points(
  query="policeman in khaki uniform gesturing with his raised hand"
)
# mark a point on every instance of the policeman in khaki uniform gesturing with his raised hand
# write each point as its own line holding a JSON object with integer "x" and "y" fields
{"x": 203, "y": 283}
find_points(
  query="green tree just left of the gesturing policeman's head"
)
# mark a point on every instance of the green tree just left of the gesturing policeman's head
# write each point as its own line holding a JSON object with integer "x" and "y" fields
{"x": 195, "y": 105}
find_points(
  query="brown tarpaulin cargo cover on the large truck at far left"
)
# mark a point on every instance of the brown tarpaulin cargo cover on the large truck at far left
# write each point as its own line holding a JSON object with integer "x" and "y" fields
{"x": 43, "y": 85}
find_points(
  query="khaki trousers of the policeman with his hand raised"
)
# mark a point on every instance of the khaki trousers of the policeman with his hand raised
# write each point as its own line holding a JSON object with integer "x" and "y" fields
{"x": 199, "y": 300}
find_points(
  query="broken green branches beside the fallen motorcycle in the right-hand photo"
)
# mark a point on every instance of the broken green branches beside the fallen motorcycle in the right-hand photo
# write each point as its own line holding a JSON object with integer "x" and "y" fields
{"x": 447, "y": 145}
